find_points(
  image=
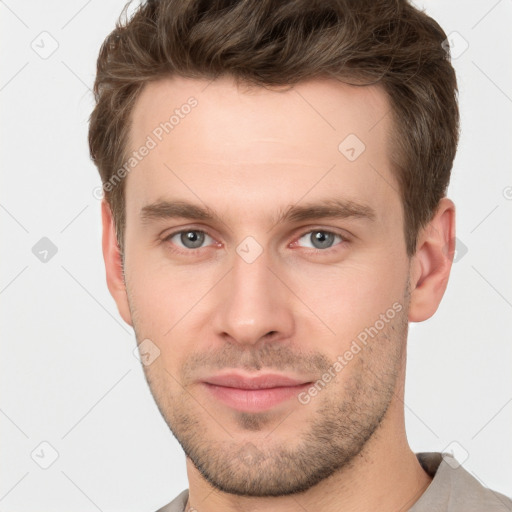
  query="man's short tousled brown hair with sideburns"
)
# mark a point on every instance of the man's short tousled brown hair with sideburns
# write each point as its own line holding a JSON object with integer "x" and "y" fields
{"x": 283, "y": 42}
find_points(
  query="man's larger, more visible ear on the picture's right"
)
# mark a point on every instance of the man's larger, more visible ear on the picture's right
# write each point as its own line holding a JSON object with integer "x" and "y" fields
{"x": 432, "y": 262}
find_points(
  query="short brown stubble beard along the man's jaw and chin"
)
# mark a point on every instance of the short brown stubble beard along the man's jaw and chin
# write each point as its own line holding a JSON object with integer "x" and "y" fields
{"x": 337, "y": 431}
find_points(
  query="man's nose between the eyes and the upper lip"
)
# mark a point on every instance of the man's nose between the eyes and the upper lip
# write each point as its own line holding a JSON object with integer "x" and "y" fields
{"x": 253, "y": 305}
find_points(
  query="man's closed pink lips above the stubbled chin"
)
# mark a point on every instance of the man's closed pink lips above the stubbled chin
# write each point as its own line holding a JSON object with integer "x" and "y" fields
{"x": 253, "y": 393}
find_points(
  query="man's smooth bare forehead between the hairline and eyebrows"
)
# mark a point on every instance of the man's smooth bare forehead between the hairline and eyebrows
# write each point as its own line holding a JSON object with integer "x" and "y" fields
{"x": 255, "y": 145}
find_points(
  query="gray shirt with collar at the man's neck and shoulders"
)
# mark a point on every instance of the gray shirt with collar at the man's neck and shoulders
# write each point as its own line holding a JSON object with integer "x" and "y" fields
{"x": 452, "y": 489}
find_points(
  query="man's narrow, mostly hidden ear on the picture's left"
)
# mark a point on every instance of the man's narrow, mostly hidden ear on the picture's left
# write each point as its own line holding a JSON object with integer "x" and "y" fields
{"x": 113, "y": 264}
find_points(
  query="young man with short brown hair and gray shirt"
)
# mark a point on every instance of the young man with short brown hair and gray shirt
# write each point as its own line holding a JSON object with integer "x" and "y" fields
{"x": 274, "y": 216}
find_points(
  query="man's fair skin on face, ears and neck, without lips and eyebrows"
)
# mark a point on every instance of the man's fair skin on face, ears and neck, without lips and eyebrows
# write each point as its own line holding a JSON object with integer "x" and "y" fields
{"x": 248, "y": 154}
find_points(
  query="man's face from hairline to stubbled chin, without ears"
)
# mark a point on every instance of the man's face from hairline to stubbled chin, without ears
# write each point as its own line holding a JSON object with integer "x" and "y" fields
{"x": 267, "y": 265}
